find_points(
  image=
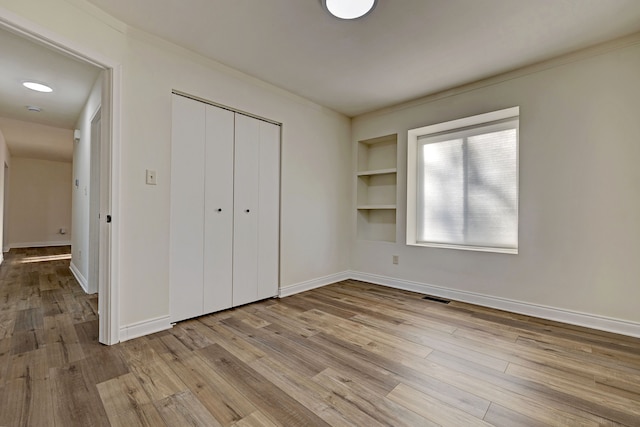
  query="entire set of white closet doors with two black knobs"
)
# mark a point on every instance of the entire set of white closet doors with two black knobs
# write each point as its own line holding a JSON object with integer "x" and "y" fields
{"x": 225, "y": 205}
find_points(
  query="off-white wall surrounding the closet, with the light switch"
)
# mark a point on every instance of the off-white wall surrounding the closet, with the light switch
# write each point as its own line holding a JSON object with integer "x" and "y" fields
{"x": 316, "y": 154}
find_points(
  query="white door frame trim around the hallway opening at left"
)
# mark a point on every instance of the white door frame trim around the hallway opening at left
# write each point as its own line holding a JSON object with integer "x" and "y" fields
{"x": 108, "y": 295}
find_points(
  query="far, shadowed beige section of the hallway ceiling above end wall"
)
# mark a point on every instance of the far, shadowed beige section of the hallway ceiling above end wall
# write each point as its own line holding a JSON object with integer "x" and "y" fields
{"x": 36, "y": 141}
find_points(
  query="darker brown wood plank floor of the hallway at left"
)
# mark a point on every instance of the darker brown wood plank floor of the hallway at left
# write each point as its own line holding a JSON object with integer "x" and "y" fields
{"x": 48, "y": 342}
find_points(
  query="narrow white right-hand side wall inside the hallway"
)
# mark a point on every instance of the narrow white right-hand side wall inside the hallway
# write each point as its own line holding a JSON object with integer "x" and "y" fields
{"x": 81, "y": 192}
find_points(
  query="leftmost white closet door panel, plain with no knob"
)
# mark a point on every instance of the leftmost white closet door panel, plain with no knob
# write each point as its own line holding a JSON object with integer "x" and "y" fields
{"x": 187, "y": 208}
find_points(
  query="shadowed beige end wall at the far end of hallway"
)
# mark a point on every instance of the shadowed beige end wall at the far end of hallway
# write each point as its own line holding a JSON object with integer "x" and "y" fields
{"x": 40, "y": 194}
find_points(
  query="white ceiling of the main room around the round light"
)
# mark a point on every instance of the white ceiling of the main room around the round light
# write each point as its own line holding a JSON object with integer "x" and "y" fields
{"x": 403, "y": 50}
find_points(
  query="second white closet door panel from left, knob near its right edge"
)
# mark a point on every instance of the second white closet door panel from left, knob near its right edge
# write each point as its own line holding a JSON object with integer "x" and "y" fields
{"x": 218, "y": 222}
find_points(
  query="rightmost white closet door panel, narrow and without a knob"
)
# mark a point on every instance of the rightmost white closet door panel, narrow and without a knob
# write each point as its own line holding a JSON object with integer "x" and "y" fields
{"x": 269, "y": 219}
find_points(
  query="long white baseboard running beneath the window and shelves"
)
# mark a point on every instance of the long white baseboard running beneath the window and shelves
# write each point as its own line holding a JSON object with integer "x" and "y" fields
{"x": 602, "y": 323}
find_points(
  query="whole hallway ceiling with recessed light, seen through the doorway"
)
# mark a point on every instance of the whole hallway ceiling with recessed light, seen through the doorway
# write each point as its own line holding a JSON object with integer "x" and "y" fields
{"x": 71, "y": 80}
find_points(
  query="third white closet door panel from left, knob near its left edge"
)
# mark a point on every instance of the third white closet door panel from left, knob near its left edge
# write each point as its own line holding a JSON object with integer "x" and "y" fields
{"x": 246, "y": 210}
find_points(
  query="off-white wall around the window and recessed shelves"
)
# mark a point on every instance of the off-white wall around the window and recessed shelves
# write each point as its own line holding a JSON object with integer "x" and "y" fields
{"x": 579, "y": 200}
